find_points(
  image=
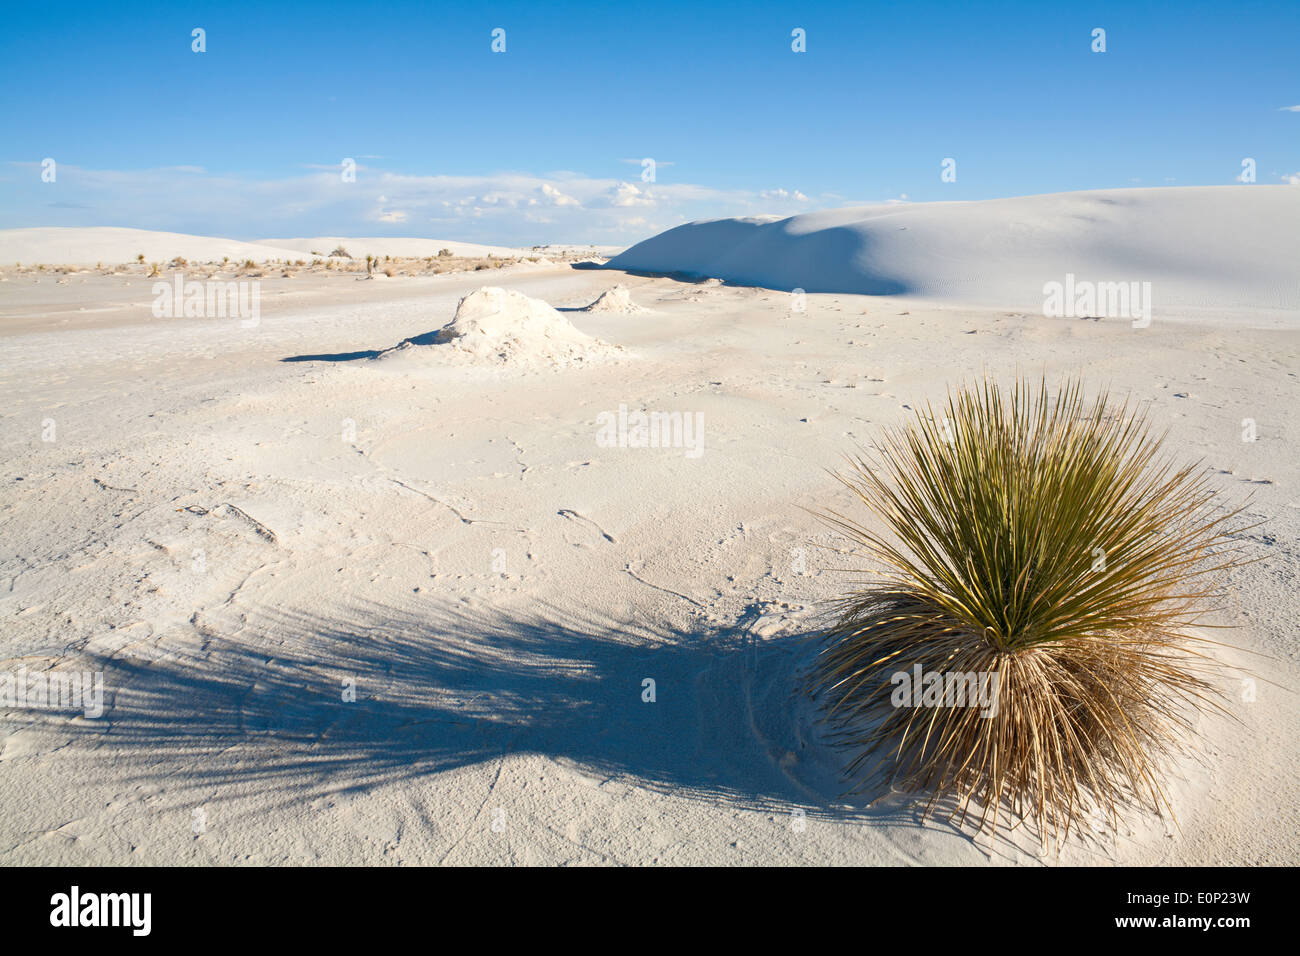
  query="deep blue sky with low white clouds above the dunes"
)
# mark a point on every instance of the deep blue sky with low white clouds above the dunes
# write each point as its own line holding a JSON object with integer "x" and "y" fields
{"x": 544, "y": 142}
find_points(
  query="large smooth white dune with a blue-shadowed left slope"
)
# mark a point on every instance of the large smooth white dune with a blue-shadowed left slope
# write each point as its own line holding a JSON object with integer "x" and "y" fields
{"x": 1201, "y": 248}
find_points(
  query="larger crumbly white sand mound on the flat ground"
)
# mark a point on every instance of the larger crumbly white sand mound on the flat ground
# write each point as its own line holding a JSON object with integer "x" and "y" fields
{"x": 502, "y": 327}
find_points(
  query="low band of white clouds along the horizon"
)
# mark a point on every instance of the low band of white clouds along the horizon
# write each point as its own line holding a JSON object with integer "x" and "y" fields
{"x": 504, "y": 209}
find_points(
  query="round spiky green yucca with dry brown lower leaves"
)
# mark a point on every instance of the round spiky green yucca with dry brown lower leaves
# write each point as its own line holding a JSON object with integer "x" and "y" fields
{"x": 1045, "y": 542}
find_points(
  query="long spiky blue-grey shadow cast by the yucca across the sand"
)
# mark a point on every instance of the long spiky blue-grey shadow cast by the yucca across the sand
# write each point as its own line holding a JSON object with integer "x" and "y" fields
{"x": 259, "y": 708}
